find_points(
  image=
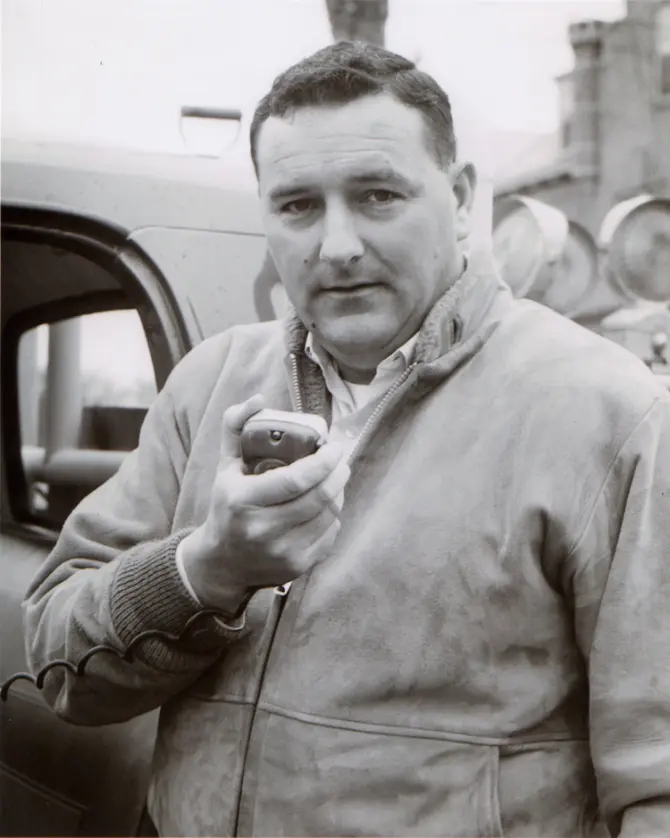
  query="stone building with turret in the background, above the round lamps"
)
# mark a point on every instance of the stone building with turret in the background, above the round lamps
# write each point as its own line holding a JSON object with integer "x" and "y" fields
{"x": 614, "y": 139}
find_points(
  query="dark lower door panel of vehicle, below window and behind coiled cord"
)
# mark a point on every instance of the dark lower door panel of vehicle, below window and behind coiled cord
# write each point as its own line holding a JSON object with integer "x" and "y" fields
{"x": 57, "y": 778}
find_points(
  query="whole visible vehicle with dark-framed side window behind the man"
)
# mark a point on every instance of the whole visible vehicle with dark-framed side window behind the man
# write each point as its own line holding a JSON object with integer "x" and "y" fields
{"x": 119, "y": 255}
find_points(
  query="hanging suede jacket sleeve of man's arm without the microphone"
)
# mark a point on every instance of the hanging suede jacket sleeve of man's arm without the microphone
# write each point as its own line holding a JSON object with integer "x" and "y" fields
{"x": 621, "y": 589}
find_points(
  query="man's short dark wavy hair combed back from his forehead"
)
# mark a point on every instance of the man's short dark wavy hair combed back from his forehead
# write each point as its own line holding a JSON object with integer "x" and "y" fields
{"x": 343, "y": 72}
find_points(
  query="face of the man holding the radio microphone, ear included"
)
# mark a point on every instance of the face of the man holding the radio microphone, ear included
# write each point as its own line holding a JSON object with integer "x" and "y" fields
{"x": 363, "y": 224}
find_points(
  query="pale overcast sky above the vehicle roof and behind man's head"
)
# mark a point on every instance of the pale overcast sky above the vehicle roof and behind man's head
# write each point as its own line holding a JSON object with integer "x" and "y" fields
{"x": 117, "y": 71}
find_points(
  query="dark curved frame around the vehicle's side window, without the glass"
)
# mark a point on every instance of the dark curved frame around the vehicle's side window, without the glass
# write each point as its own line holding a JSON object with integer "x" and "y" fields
{"x": 143, "y": 288}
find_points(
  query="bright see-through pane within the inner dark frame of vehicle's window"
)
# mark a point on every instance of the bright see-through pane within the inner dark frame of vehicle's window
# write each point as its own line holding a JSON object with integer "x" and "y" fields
{"x": 85, "y": 384}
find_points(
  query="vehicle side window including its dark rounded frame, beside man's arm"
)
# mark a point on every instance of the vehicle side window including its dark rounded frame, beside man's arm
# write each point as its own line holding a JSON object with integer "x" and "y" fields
{"x": 89, "y": 332}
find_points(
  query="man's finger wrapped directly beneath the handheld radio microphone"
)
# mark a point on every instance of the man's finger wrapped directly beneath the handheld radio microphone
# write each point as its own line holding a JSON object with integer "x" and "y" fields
{"x": 289, "y": 482}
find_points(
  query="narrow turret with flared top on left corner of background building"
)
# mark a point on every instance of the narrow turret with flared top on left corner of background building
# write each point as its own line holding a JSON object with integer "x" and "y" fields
{"x": 583, "y": 149}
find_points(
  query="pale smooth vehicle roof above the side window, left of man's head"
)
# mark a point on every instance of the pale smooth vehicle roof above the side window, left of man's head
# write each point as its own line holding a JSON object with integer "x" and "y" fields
{"x": 132, "y": 189}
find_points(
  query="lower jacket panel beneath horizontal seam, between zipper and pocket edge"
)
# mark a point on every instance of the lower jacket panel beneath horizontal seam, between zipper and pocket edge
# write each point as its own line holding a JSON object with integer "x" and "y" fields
{"x": 314, "y": 777}
